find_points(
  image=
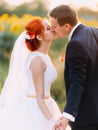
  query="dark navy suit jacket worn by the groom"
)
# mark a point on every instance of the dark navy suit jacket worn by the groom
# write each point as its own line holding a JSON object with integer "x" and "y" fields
{"x": 81, "y": 75}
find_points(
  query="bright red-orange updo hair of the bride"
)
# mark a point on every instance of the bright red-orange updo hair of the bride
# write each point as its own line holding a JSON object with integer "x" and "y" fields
{"x": 34, "y": 27}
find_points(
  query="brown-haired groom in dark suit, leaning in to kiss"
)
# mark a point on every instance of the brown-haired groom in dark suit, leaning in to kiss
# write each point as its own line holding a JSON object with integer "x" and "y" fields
{"x": 81, "y": 70}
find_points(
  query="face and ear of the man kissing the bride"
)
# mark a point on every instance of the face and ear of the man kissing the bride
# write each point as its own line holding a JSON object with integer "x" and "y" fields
{"x": 61, "y": 31}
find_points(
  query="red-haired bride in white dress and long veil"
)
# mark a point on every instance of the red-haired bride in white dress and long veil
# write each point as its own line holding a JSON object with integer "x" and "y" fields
{"x": 25, "y": 101}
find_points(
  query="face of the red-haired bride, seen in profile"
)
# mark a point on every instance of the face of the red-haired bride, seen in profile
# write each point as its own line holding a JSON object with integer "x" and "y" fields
{"x": 48, "y": 34}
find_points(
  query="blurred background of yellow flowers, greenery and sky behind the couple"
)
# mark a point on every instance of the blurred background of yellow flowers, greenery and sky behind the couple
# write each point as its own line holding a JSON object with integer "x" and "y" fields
{"x": 13, "y": 16}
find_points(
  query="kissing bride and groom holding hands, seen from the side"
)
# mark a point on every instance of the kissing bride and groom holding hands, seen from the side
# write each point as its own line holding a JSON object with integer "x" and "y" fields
{"x": 26, "y": 102}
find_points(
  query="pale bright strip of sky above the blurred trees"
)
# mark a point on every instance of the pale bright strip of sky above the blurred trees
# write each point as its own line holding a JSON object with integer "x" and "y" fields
{"x": 92, "y": 4}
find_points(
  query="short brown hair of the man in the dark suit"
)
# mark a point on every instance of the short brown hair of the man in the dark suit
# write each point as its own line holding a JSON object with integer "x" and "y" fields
{"x": 64, "y": 14}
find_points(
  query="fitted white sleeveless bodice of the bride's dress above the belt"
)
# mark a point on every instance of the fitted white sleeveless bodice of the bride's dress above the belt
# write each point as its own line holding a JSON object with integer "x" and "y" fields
{"x": 49, "y": 75}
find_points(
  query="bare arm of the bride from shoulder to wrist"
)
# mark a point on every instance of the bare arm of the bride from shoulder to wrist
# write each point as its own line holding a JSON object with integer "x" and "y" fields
{"x": 38, "y": 68}
